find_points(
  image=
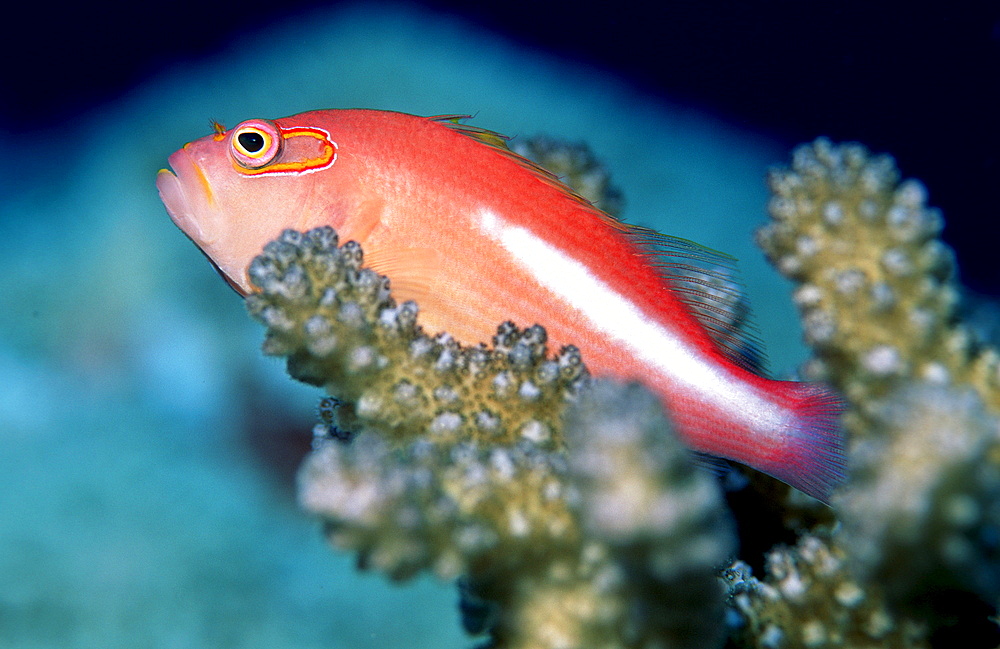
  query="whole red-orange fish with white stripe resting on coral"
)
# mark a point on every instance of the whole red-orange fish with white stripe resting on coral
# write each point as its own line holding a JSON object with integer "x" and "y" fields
{"x": 478, "y": 235}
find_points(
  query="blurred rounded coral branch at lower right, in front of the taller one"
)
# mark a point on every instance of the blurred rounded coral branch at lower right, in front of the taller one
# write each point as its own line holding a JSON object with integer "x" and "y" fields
{"x": 923, "y": 507}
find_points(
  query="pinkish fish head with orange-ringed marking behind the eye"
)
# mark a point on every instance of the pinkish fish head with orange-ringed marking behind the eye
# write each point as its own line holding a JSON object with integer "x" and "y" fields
{"x": 233, "y": 191}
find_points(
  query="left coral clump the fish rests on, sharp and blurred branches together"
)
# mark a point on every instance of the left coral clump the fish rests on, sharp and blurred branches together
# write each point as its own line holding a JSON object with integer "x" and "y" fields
{"x": 461, "y": 462}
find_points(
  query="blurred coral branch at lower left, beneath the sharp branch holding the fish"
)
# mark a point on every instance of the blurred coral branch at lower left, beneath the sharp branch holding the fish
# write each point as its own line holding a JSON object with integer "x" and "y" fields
{"x": 428, "y": 506}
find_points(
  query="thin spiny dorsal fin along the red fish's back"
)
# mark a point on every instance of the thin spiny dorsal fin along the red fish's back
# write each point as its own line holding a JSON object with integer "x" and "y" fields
{"x": 704, "y": 280}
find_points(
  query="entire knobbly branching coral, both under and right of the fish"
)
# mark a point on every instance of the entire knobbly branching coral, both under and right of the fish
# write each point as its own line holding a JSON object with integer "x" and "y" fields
{"x": 568, "y": 511}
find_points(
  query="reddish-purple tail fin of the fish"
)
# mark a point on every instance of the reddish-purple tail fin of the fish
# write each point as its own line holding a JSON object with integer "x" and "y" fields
{"x": 811, "y": 457}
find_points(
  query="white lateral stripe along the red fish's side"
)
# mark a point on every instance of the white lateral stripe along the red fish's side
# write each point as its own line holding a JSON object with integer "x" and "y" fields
{"x": 619, "y": 319}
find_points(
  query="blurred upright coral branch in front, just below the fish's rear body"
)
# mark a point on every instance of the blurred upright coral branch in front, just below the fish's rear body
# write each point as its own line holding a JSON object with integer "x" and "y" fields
{"x": 663, "y": 518}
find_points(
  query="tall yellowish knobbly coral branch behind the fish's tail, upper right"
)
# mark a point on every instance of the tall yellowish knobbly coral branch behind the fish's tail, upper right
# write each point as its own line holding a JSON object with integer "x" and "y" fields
{"x": 876, "y": 285}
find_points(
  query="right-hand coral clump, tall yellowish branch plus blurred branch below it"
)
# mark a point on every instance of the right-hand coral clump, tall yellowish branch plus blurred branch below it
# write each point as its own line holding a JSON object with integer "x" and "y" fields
{"x": 920, "y": 514}
